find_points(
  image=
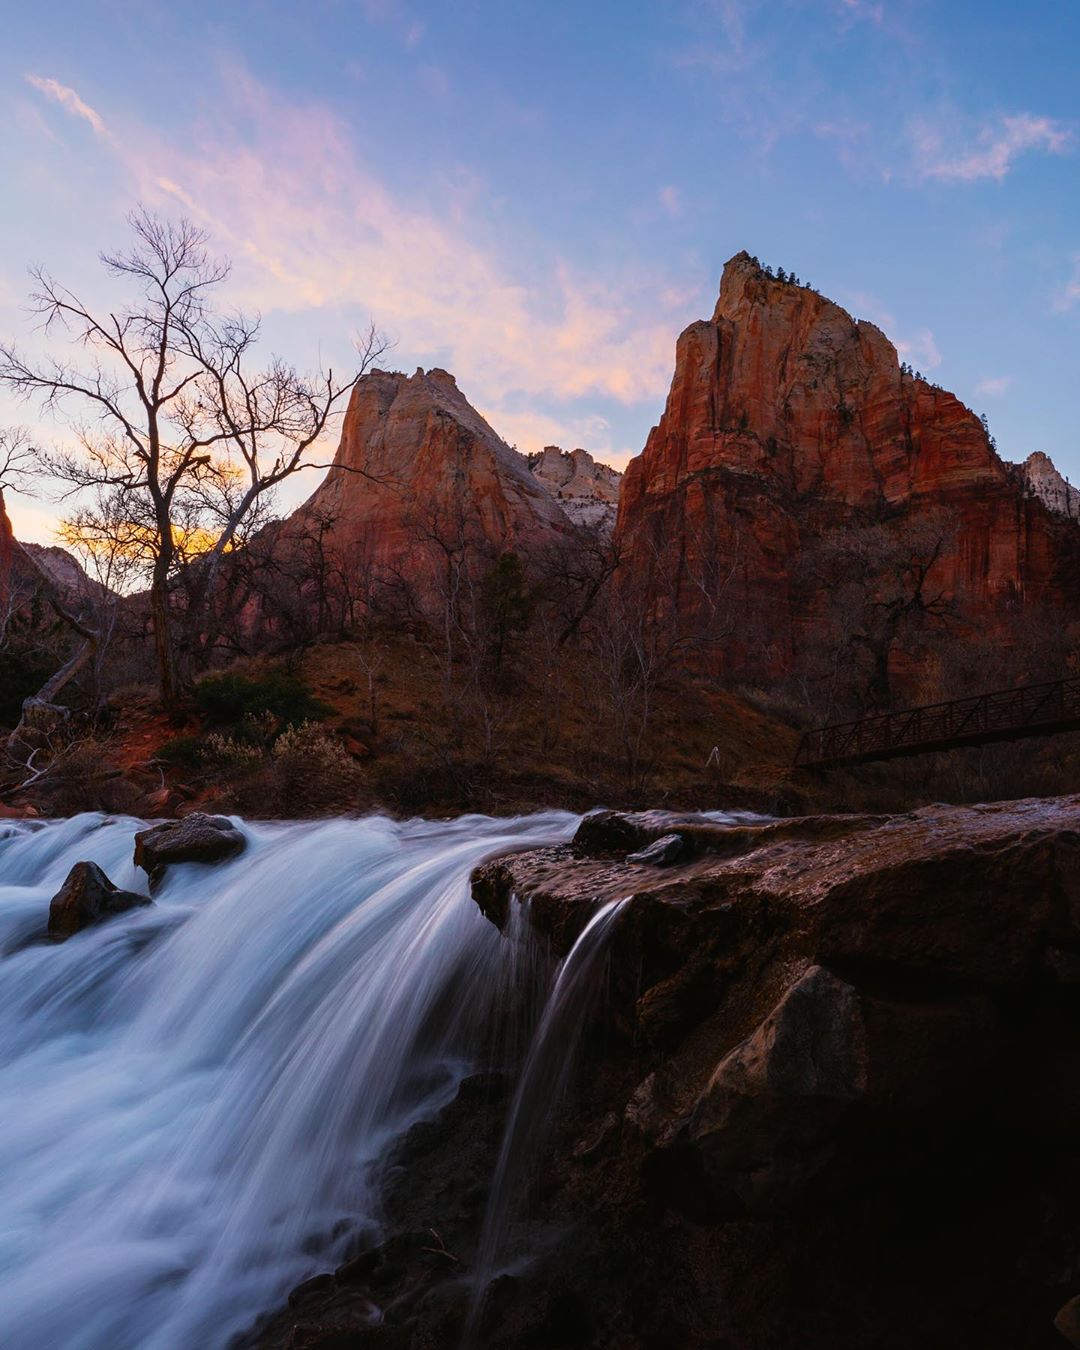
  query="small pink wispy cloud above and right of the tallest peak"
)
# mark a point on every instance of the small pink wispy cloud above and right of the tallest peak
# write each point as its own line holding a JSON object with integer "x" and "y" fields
{"x": 992, "y": 153}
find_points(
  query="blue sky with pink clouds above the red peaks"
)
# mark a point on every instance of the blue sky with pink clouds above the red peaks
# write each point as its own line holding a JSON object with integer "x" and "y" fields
{"x": 542, "y": 196}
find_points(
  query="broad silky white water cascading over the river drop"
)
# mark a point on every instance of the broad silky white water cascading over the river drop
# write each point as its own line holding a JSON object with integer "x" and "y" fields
{"x": 195, "y": 1094}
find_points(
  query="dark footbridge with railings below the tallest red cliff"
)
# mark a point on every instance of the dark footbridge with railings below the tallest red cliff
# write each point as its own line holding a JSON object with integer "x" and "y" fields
{"x": 1001, "y": 716}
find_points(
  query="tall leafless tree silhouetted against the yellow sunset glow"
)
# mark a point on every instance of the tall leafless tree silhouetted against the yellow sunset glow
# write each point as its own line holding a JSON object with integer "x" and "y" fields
{"x": 171, "y": 411}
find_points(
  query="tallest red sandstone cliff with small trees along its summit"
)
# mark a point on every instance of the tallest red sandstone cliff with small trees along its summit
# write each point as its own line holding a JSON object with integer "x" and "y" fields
{"x": 789, "y": 423}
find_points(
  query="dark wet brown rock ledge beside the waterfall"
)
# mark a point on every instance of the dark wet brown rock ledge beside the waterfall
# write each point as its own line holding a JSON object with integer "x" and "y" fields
{"x": 831, "y": 1100}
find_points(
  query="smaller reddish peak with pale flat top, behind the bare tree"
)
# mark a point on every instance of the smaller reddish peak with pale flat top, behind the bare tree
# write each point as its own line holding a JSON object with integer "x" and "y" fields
{"x": 419, "y": 475}
